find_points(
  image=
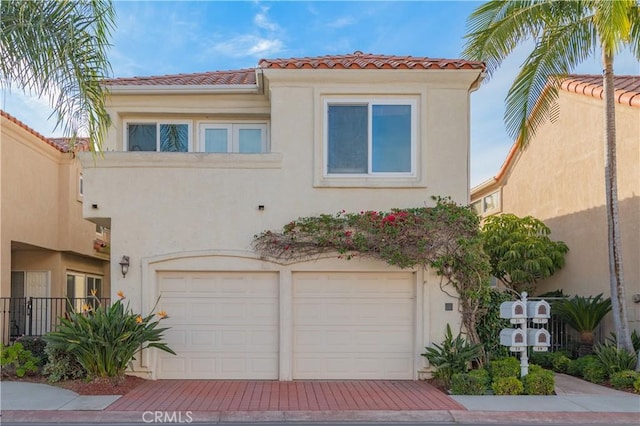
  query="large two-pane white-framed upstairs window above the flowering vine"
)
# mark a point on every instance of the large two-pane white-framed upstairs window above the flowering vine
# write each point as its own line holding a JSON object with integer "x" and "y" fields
{"x": 370, "y": 137}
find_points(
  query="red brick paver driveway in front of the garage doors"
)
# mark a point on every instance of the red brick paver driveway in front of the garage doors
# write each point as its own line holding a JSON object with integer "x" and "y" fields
{"x": 234, "y": 395}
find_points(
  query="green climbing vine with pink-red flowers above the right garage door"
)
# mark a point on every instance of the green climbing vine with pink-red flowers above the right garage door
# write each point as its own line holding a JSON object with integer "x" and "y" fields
{"x": 445, "y": 237}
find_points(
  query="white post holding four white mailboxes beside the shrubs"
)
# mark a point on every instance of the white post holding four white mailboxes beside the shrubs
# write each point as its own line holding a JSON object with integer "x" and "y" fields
{"x": 519, "y": 313}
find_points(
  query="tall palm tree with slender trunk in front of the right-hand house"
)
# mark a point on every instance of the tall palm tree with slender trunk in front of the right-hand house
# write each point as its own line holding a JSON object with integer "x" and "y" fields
{"x": 565, "y": 34}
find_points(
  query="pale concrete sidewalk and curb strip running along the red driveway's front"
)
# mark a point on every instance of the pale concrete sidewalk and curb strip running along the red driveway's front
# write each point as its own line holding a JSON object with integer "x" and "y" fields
{"x": 576, "y": 402}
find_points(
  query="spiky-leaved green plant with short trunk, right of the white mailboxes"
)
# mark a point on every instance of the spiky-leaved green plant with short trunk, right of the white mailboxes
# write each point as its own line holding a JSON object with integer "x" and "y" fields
{"x": 583, "y": 314}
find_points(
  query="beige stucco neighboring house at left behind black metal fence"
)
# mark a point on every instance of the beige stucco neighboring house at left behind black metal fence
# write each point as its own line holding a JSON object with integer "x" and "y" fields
{"x": 47, "y": 249}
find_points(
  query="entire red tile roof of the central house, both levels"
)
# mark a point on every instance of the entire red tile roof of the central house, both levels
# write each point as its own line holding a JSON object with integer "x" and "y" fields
{"x": 356, "y": 60}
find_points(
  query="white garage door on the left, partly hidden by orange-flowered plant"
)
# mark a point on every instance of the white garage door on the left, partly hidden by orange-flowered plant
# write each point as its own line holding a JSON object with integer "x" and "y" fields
{"x": 224, "y": 325}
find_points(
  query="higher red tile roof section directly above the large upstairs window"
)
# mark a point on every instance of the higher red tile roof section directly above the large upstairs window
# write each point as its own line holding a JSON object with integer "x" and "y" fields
{"x": 359, "y": 60}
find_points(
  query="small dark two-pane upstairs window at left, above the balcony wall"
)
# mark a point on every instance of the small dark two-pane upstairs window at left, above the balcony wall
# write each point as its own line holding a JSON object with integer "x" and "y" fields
{"x": 158, "y": 136}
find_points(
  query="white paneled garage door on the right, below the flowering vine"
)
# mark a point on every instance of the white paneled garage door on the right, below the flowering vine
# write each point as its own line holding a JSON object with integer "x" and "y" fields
{"x": 353, "y": 325}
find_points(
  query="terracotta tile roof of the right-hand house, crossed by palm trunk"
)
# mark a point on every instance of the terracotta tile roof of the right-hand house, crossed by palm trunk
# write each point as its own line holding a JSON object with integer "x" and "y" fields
{"x": 627, "y": 87}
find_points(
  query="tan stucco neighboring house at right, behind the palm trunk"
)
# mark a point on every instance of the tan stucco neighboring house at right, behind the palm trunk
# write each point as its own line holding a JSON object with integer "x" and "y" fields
{"x": 559, "y": 179}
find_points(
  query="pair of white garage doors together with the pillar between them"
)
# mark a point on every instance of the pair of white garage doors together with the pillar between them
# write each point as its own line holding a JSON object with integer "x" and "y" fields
{"x": 321, "y": 325}
